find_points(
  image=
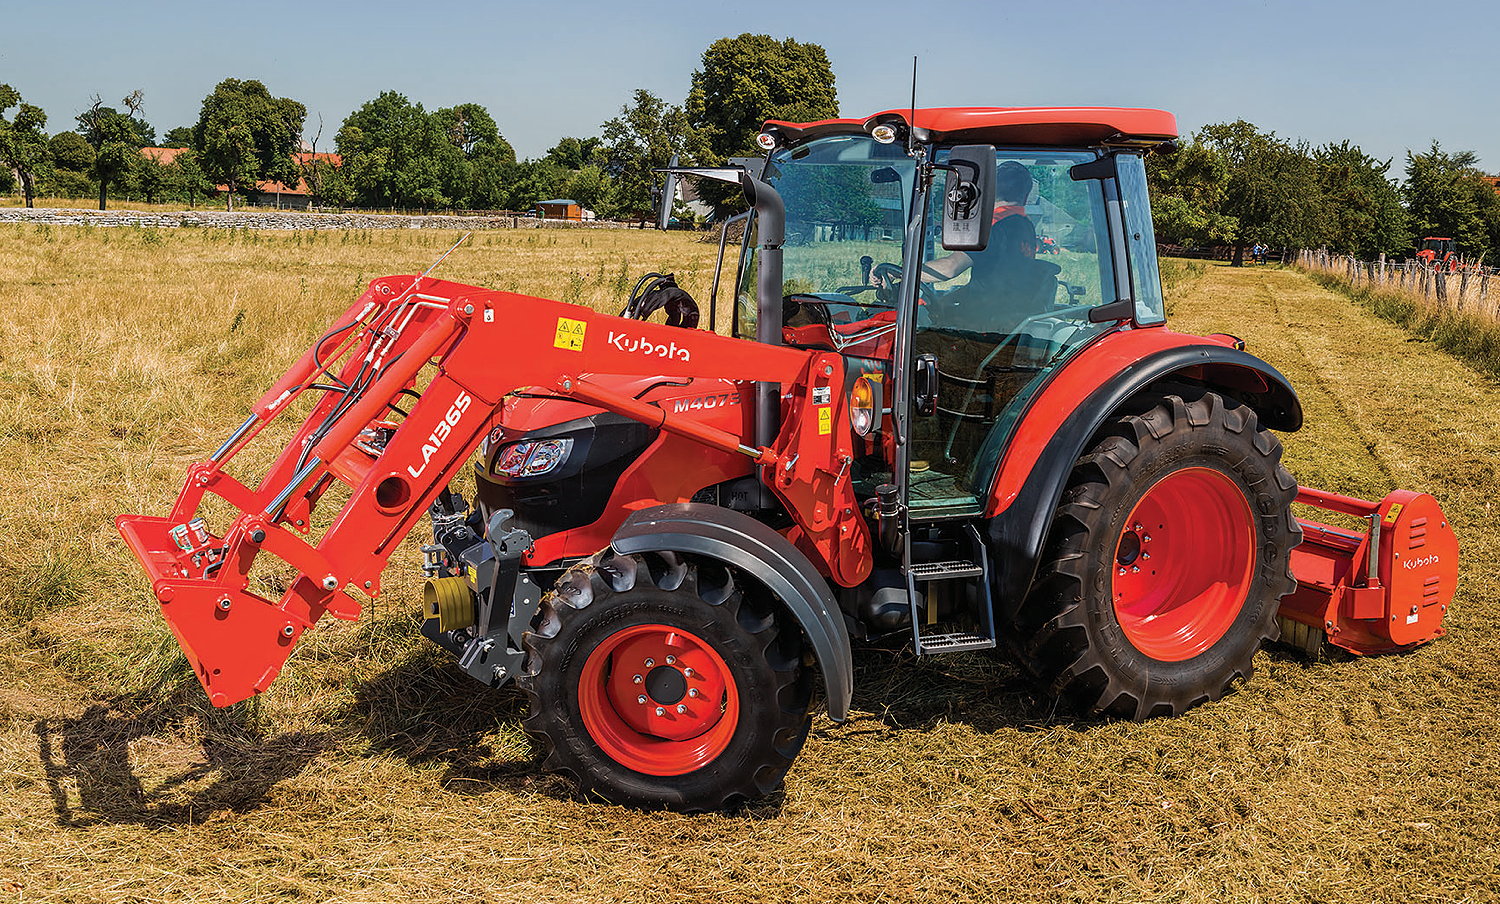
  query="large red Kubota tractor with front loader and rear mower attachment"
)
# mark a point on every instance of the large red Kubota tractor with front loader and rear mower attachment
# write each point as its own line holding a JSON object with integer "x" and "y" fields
{"x": 919, "y": 431}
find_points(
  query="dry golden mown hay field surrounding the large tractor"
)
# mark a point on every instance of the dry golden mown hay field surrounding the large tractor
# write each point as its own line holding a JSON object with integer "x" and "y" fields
{"x": 376, "y": 773}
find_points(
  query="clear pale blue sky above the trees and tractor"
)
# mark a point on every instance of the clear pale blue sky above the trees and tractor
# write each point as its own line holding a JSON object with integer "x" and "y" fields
{"x": 1388, "y": 77}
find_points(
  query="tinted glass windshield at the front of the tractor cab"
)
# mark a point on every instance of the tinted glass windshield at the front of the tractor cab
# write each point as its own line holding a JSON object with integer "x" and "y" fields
{"x": 847, "y": 208}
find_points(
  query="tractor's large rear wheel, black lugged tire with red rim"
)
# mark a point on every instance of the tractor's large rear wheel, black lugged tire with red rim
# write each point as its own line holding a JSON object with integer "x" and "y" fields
{"x": 1166, "y": 563}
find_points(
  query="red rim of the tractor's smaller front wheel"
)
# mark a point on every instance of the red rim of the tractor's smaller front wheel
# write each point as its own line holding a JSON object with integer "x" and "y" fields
{"x": 659, "y": 701}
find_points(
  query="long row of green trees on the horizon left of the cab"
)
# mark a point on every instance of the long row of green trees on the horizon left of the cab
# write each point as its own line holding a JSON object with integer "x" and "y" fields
{"x": 397, "y": 154}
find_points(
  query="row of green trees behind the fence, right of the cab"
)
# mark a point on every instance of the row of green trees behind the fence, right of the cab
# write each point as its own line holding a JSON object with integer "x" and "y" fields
{"x": 1234, "y": 185}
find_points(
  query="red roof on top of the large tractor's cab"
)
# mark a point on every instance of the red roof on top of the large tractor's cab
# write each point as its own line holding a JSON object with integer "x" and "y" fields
{"x": 1057, "y": 127}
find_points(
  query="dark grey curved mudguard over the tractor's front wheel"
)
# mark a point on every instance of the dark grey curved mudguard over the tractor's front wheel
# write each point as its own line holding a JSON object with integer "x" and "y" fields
{"x": 739, "y": 540}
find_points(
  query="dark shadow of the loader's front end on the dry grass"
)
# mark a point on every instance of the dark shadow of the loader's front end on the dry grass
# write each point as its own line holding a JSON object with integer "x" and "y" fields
{"x": 163, "y": 764}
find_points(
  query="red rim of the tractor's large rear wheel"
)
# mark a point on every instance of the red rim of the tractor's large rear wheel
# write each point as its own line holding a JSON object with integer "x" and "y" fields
{"x": 1184, "y": 564}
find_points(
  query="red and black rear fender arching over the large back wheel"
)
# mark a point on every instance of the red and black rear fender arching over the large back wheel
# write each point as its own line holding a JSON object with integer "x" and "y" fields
{"x": 1066, "y": 418}
